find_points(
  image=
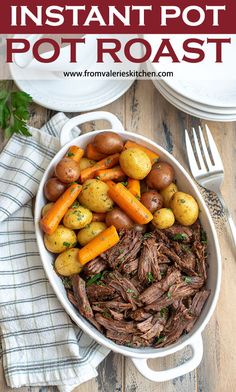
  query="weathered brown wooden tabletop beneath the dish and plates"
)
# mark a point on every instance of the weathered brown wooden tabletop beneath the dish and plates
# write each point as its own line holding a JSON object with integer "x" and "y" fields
{"x": 143, "y": 110}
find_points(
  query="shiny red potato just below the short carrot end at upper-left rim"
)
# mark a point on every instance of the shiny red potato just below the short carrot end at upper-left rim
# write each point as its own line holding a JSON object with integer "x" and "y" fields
{"x": 67, "y": 170}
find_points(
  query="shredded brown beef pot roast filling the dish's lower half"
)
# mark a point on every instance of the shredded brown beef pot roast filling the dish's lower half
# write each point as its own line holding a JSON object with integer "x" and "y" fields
{"x": 147, "y": 290}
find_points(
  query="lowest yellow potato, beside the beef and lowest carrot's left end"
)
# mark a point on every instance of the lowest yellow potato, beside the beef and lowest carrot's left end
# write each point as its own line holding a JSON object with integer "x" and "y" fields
{"x": 67, "y": 264}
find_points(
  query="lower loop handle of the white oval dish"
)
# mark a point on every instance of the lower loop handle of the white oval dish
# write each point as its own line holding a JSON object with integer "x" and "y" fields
{"x": 166, "y": 375}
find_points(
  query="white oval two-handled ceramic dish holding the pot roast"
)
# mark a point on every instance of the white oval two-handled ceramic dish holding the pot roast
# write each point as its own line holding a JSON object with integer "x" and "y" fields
{"x": 141, "y": 355}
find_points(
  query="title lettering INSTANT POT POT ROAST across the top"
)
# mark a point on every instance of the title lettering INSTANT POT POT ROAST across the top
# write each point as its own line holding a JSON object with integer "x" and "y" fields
{"x": 84, "y": 18}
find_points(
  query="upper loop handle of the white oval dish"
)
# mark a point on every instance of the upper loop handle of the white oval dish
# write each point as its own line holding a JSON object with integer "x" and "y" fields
{"x": 66, "y": 133}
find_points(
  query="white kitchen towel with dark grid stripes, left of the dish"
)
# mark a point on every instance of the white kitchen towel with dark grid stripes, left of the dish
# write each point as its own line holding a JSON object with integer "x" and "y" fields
{"x": 40, "y": 345}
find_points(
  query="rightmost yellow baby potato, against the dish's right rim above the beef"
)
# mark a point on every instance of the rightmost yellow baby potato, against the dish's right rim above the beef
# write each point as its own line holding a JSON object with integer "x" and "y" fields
{"x": 185, "y": 208}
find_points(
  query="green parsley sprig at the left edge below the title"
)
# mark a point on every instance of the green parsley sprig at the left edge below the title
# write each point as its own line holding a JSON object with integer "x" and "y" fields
{"x": 14, "y": 112}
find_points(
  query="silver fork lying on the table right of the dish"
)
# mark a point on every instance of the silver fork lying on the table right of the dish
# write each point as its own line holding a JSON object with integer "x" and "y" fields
{"x": 209, "y": 174}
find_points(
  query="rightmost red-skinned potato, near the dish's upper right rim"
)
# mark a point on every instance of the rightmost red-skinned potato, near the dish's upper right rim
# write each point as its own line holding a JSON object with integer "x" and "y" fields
{"x": 161, "y": 175}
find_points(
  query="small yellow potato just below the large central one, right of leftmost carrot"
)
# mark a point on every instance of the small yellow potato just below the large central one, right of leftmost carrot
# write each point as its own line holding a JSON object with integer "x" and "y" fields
{"x": 77, "y": 217}
